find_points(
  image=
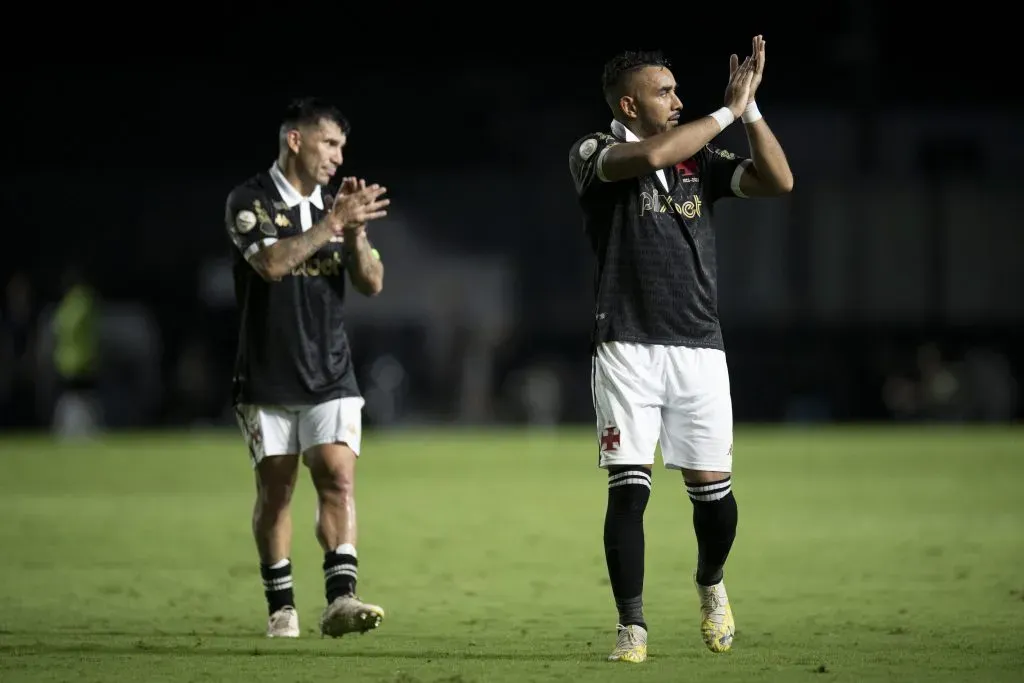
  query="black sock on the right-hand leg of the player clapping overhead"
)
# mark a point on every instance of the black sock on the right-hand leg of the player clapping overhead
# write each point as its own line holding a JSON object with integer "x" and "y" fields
{"x": 715, "y": 518}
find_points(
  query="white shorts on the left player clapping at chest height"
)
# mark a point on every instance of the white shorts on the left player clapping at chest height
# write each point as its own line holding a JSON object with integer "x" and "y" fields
{"x": 280, "y": 431}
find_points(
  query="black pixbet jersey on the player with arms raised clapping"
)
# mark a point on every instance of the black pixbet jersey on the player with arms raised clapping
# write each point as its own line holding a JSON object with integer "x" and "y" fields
{"x": 656, "y": 280}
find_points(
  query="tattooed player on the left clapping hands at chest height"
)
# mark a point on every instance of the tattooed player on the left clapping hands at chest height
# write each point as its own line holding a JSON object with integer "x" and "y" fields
{"x": 295, "y": 391}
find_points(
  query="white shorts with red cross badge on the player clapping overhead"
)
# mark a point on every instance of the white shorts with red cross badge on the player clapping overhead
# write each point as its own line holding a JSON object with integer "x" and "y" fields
{"x": 674, "y": 396}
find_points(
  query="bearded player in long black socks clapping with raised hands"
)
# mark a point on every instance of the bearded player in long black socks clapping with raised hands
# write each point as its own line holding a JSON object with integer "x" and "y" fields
{"x": 660, "y": 376}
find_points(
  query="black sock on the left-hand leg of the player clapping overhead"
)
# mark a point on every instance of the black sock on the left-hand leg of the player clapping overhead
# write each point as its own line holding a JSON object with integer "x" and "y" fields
{"x": 629, "y": 491}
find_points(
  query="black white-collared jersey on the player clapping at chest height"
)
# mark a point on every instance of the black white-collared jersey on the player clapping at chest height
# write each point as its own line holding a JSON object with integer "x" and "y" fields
{"x": 293, "y": 349}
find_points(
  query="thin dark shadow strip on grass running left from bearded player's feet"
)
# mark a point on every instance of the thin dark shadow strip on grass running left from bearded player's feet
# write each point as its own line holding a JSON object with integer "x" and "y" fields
{"x": 145, "y": 648}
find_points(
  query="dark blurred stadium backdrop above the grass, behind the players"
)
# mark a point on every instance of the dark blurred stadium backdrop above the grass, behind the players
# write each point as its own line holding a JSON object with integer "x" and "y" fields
{"x": 888, "y": 286}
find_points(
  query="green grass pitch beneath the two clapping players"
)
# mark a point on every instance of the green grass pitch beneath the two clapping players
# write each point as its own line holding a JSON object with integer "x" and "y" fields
{"x": 865, "y": 554}
